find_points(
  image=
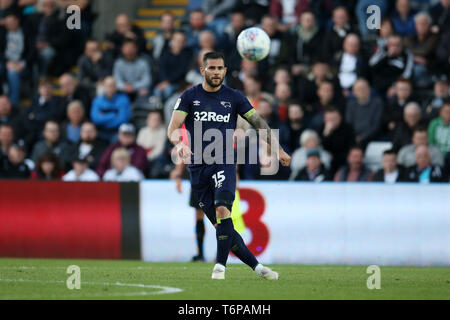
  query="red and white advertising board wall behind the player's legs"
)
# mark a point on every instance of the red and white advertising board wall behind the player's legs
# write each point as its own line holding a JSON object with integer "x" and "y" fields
{"x": 286, "y": 222}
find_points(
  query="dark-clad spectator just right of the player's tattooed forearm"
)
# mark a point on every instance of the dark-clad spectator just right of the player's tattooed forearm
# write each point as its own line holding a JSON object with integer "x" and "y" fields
{"x": 291, "y": 131}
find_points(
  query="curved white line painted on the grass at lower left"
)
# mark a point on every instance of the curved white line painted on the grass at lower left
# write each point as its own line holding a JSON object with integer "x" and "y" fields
{"x": 162, "y": 289}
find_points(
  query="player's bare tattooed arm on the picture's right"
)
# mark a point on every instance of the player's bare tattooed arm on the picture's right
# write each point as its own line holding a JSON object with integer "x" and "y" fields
{"x": 272, "y": 142}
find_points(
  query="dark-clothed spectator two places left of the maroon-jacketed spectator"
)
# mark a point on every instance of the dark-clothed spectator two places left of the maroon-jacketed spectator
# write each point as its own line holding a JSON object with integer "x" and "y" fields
{"x": 50, "y": 143}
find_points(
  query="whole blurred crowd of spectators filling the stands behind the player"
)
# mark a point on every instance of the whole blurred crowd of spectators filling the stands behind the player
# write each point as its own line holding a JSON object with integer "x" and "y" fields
{"x": 99, "y": 108}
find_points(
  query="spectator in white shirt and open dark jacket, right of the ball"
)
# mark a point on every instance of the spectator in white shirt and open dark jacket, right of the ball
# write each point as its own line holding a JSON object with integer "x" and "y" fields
{"x": 349, "y": 62}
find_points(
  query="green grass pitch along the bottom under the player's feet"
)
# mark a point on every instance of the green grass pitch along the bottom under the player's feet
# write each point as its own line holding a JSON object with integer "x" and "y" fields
{"x": 119, "y": 279}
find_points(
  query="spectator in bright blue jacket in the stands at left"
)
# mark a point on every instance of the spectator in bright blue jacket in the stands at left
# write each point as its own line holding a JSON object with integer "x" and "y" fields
{"x": 110, "y": 110}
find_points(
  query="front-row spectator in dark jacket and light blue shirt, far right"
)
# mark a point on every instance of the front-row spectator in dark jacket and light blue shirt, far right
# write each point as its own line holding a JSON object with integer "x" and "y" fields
{"x": 424, "y": 171}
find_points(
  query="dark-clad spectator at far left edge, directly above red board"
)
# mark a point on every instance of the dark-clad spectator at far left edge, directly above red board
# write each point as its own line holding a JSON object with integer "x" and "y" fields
{"x": 14, "y": 167}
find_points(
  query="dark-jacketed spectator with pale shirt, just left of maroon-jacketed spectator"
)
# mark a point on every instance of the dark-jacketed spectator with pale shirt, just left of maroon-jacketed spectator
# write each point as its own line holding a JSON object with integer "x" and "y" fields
{"x": 89, "y": 147}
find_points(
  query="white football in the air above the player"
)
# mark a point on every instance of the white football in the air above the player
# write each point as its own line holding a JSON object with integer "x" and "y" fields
{"x": 253, "y": 44}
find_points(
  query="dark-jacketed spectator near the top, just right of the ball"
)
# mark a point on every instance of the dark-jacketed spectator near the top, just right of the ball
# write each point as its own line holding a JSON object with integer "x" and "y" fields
{"x": 307, "y": 40}
